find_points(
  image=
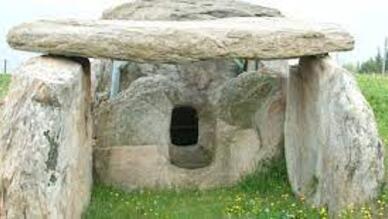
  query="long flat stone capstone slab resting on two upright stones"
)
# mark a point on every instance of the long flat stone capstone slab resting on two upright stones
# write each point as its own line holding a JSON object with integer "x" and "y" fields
{"x": 177, "y": 41}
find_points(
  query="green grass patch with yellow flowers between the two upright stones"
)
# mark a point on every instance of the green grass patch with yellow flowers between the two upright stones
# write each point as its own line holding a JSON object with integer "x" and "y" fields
{"x": 251, "y": 198}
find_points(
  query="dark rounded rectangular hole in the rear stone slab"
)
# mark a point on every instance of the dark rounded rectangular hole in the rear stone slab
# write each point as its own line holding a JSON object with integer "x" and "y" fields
{"x": 184, "y": 126}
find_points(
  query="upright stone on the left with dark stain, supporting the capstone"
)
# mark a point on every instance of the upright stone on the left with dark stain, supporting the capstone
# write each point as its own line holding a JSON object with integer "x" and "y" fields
{"x": 45, "y": 141}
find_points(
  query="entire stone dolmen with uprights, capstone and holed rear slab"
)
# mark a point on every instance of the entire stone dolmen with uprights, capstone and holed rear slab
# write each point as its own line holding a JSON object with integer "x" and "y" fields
{"x": 184, "y": 94}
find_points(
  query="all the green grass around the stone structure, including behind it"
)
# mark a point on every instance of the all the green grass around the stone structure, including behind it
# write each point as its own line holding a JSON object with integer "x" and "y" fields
{"x": 261, "y": 195}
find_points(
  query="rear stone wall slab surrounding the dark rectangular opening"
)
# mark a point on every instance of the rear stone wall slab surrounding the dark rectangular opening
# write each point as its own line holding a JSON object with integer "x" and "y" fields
{"x": 133, "y": 136}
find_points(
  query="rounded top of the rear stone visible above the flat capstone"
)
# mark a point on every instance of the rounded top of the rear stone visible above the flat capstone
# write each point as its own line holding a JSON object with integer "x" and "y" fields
{"x": 181, "y": 10}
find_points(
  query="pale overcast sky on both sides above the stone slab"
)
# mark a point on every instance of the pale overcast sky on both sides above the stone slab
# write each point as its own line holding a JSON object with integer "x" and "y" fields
{"x": 366, "y": 20}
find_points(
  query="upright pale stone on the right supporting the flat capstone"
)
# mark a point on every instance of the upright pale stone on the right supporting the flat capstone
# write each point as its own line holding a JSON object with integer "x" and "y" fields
{"x": 333, "y": 152}
